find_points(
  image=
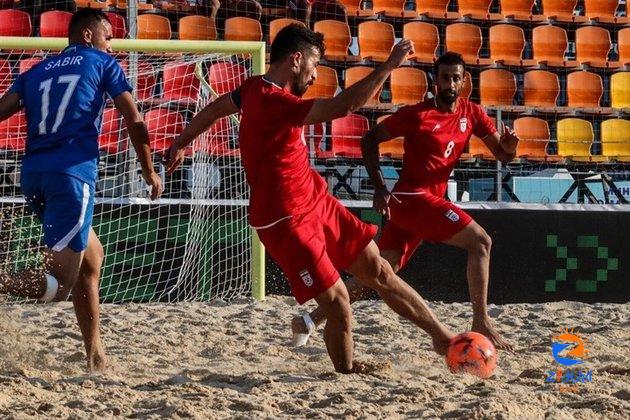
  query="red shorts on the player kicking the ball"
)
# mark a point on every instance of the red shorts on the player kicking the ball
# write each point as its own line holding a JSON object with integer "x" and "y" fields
{"x": 311, "y": 248}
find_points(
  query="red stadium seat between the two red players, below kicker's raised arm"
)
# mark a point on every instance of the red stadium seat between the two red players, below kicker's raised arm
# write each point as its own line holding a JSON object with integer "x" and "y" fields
{"x": 346, "y": 133}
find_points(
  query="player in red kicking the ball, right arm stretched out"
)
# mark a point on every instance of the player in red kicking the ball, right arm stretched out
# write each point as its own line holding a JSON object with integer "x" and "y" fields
{"x": 306, "y": 230}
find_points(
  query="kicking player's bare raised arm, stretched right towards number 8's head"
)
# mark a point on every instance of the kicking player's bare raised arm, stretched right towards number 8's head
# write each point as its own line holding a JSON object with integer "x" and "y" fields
{"x": 354, "y": 97}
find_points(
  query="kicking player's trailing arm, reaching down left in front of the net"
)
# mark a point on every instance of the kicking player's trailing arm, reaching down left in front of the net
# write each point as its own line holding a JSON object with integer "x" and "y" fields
{"x": 202, "y": 121}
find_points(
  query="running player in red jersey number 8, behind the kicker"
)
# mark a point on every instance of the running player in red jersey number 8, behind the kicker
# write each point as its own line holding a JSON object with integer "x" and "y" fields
{"x": 435, "y": 133}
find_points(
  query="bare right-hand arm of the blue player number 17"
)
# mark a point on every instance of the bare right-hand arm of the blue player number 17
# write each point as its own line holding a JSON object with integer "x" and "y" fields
{"x": 139, "y": 135}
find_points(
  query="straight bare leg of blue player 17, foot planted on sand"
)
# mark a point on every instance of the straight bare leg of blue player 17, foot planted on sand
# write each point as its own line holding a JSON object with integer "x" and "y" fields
{"x": 85, "y": 298}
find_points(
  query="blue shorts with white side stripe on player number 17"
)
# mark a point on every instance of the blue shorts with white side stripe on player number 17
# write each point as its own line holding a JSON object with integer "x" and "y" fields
{"x": 64, "y": 205}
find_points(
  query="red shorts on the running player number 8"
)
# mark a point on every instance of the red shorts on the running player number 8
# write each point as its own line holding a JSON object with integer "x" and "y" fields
{"x": 420, "y": 217}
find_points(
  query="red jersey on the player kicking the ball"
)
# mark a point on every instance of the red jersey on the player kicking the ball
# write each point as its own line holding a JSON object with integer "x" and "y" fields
{"x": 274, "y": 153}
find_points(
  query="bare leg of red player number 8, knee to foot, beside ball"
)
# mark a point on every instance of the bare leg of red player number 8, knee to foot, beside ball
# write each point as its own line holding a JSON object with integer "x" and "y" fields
{"x": 474, "y": 239}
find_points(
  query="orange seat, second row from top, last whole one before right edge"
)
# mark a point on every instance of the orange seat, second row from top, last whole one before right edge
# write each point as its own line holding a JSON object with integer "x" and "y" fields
{"x": 592, "y": 44}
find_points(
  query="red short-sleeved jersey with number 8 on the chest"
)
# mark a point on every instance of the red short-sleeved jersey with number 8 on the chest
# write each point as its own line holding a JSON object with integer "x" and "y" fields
{"x": 434, "y": 141}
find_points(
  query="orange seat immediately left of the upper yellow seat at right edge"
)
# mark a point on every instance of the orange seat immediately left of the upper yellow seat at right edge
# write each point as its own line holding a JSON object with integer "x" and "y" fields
{"x": 585, "y": 90}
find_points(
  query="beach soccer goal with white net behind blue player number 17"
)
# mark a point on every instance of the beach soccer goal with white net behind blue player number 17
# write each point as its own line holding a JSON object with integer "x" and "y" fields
{"x": 192, "y": 244}
